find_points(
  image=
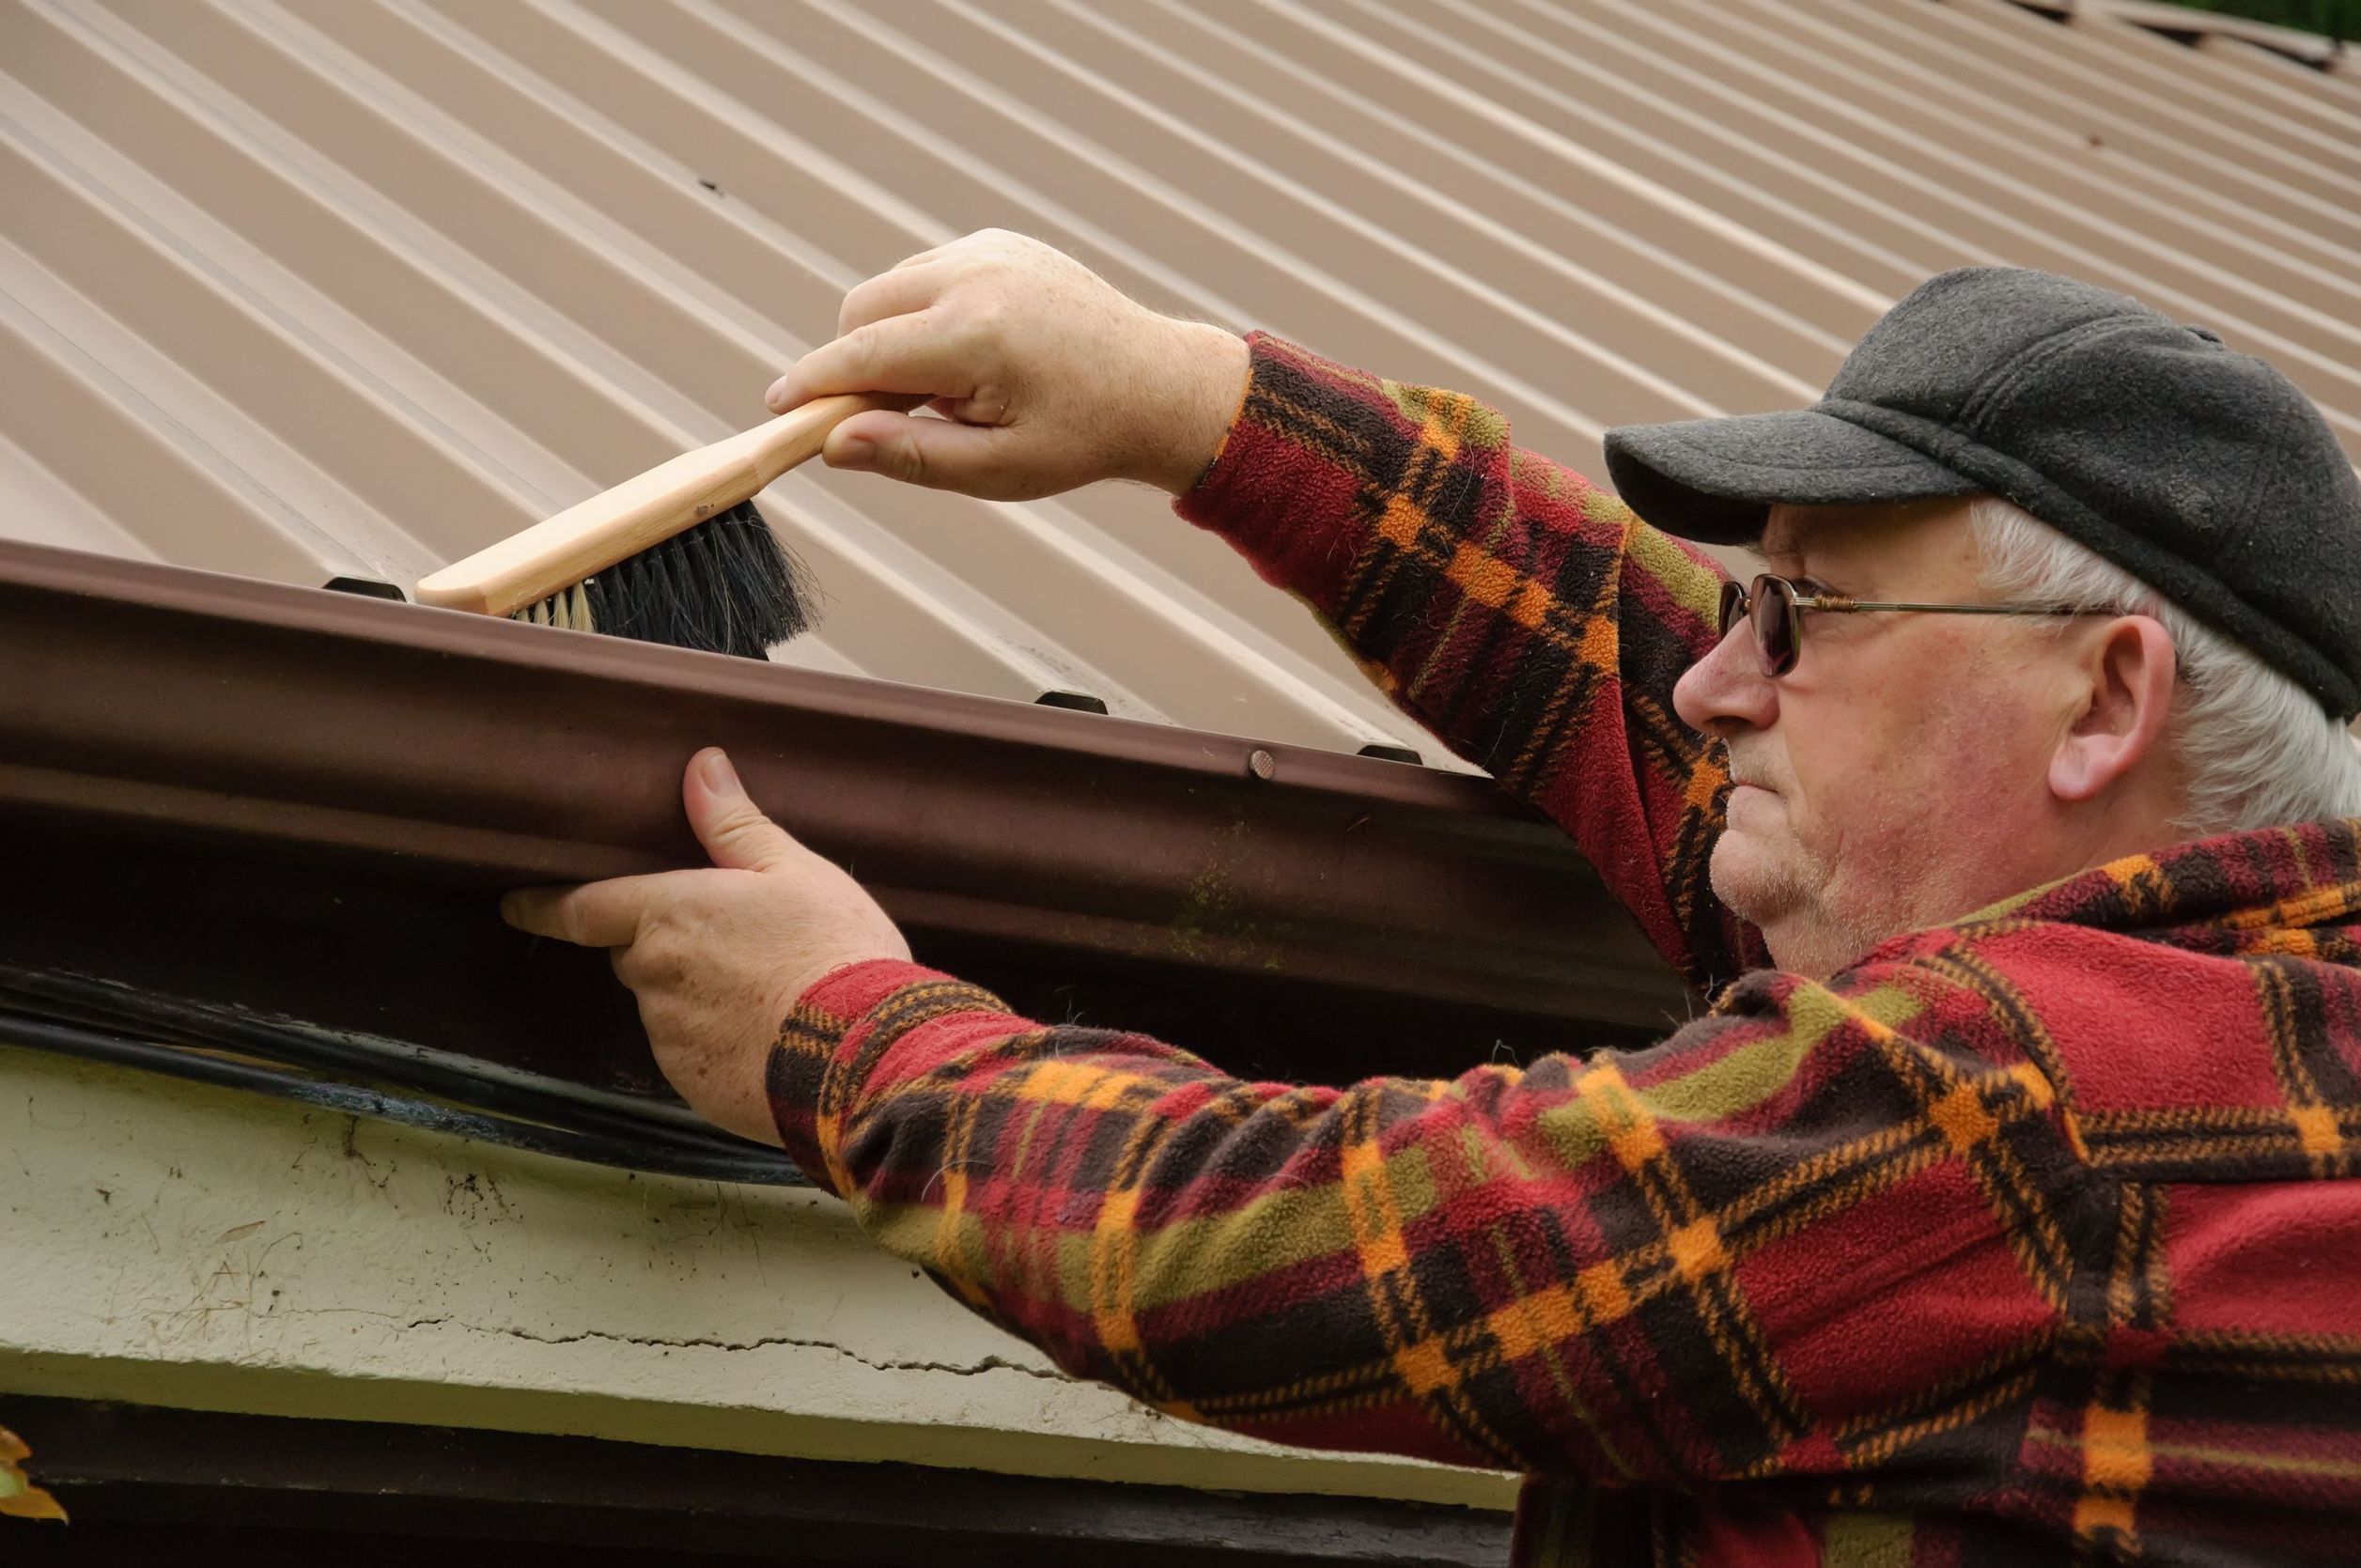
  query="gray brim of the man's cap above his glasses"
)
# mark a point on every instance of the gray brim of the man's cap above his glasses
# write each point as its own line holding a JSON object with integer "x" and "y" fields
{"x": 1715, "y": 481}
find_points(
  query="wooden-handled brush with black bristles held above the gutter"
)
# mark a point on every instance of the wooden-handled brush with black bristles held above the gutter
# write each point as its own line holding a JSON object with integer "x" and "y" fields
{"x": 674, "y": 556}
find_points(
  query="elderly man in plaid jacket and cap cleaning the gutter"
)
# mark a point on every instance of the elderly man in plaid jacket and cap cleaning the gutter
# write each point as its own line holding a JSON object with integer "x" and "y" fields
{"x": 2001, "y": 1206}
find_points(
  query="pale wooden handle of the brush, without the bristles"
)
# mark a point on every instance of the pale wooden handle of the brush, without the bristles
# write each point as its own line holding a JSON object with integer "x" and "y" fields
{"x": 639, "y": 514}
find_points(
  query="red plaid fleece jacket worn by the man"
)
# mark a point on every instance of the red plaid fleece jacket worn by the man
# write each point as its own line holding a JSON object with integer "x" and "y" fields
{"x": 2032, "y": 1239}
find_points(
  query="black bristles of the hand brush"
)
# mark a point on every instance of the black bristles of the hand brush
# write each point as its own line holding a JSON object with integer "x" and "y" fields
{"x": 724, "y": 587}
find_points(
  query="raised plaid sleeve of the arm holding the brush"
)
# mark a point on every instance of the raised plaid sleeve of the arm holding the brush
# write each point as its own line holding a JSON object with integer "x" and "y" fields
{"x": 1510, "y": 606}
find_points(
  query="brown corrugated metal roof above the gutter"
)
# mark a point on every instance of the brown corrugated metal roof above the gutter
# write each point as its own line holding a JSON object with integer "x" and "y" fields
{"x": 325, "y": 287}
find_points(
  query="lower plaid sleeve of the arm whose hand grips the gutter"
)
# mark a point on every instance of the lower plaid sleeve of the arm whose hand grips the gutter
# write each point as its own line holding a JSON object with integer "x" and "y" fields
{"x": 1788, "y": 1246}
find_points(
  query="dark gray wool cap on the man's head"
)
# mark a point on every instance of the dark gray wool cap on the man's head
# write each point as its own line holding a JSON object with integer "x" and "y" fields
{"x": 2199, "y": 471}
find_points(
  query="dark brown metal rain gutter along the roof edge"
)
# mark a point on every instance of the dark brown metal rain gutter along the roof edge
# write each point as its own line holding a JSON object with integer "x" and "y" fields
{"x": 443, "y": 750}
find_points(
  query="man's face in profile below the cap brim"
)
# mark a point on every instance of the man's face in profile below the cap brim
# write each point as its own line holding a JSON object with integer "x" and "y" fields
{"x": 1895, "y": 778}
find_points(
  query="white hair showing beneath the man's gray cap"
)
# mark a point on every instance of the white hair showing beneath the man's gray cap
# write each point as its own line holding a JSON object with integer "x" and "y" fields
{"x": 2258, "y": 750}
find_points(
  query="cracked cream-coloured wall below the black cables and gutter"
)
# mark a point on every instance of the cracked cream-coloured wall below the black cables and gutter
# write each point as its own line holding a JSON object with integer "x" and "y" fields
{"x": 204, "y": 1248}
